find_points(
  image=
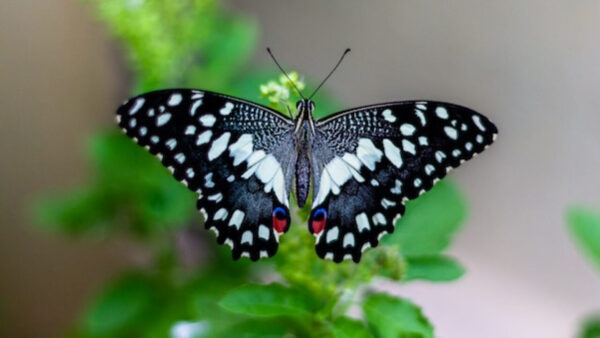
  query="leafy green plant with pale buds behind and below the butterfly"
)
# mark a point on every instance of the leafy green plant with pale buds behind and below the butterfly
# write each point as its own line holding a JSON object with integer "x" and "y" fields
{"x": 196, "y": 43}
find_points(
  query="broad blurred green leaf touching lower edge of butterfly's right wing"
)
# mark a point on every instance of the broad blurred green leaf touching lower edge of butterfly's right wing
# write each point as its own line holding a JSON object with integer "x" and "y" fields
{"x": 429, "y": 222}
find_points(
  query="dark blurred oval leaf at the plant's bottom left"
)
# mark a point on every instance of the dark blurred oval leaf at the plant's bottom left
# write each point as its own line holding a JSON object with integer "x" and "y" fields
{"x": 121, "y": 307}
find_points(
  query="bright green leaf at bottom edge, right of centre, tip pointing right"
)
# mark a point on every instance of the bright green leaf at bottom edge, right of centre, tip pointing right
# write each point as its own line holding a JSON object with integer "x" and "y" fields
{"x": 389, "y": 316}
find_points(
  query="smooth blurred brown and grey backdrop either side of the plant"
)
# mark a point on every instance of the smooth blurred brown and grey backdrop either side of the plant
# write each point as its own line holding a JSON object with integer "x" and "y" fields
{"x": 532, "y": 66}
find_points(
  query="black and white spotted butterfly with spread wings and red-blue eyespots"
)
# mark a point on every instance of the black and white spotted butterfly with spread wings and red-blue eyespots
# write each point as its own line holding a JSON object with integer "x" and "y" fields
{"x": 244, "y": 160}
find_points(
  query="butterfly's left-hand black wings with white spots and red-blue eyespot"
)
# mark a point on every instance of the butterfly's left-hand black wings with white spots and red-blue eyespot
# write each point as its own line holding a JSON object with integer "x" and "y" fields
{"x": 238, "y": 156}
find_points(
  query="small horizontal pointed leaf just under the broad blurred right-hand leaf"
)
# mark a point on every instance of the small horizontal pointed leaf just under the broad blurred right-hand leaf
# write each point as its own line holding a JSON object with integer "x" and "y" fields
{"x": 436, "y": 268}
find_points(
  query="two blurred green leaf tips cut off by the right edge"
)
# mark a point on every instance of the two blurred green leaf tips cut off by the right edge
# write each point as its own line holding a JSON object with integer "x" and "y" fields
{"x": 584, "y": 225}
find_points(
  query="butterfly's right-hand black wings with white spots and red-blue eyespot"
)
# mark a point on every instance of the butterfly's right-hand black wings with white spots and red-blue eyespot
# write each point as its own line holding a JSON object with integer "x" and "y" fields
{"x": 367, "y": 162}
